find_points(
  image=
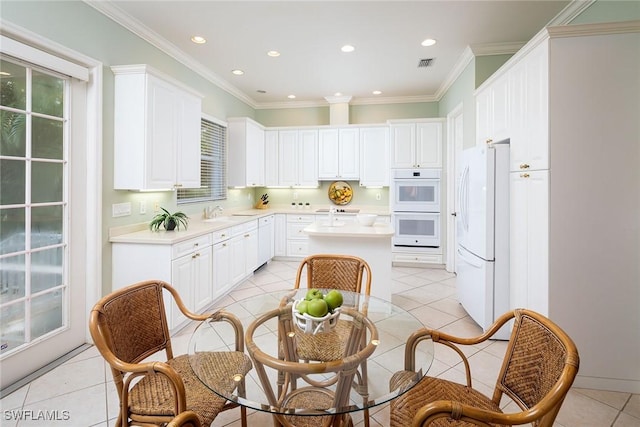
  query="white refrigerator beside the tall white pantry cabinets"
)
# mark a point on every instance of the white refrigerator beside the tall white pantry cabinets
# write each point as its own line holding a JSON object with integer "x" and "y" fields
{"x": 482, "y": 227}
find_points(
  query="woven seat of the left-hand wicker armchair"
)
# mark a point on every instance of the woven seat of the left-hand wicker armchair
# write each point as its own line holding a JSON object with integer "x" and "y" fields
{"x": 153, "y": 396}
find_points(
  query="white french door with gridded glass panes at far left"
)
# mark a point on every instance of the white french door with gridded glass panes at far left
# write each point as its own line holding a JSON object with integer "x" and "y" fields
{"x": 42, "y": 251}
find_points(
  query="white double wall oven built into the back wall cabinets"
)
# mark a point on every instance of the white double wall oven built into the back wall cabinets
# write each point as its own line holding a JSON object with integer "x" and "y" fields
{"x": 415, "y": 205}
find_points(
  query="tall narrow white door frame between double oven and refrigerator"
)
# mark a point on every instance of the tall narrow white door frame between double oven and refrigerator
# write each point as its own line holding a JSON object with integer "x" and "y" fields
{"x": 454, "y": 149}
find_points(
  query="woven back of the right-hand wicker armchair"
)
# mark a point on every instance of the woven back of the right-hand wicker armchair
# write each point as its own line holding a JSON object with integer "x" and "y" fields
{"x": 540, "y": 365}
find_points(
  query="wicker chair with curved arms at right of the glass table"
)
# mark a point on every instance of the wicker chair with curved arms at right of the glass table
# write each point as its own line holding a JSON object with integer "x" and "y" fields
{"x": 540, "y": 364}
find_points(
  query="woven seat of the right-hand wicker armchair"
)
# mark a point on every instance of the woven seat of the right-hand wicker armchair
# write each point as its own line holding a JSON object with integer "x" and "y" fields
{"x": 430, "y": 389}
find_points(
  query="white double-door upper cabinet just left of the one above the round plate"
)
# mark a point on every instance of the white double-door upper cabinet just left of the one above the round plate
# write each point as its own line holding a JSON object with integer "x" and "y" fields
{"x": 298, "y": 157}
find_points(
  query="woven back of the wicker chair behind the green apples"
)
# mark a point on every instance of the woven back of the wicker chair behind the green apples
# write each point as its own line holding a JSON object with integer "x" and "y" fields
{"x": 330, "y": 271}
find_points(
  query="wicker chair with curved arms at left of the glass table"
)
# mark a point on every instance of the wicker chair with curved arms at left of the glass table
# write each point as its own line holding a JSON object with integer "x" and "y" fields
{"x": 128, "y": 327}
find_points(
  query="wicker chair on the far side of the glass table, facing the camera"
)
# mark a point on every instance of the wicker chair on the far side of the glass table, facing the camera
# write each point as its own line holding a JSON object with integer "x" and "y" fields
{"x": 345, "y": 273}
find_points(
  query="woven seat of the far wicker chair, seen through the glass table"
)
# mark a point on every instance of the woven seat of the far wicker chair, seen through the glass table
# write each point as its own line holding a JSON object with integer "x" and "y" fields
{"x": 325, "y": 346}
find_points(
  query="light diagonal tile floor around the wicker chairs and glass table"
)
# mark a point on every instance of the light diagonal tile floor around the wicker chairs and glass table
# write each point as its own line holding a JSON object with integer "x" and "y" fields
{"x": 81, "y": 393}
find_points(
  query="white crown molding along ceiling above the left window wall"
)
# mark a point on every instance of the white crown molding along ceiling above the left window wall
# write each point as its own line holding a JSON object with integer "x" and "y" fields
{"x": 116, "y": 14}
